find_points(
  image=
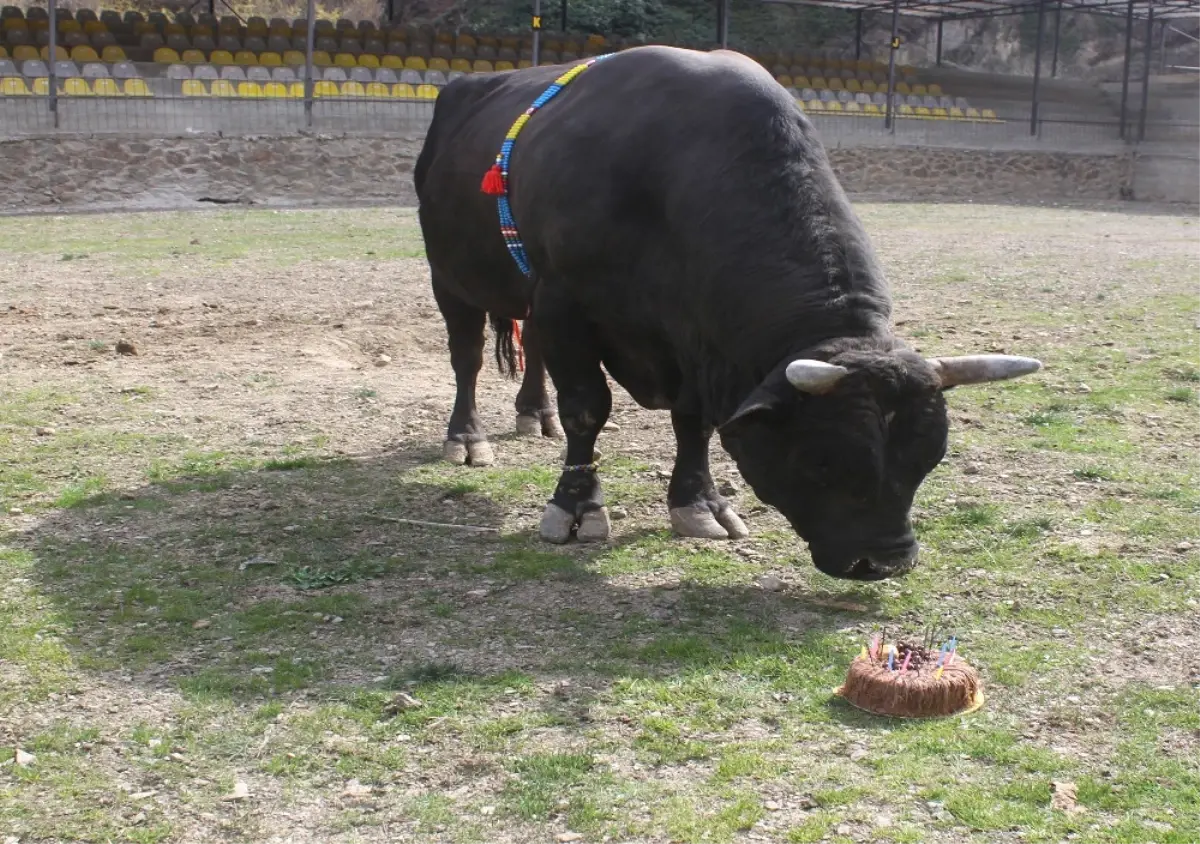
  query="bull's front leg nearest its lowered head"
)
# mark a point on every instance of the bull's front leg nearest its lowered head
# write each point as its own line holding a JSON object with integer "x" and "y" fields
{"x": 697, "y": 508}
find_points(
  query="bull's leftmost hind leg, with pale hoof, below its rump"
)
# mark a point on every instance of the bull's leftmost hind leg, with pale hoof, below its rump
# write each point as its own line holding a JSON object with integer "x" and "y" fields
{"x": 466, "y": 441}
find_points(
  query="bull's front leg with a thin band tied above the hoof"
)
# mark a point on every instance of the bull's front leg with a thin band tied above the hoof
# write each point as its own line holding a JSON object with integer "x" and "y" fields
{"x": 584, "y": 405}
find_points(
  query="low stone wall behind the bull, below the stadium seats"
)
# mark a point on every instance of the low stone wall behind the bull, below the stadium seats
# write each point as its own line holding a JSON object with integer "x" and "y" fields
{"x": 109, "y": 173}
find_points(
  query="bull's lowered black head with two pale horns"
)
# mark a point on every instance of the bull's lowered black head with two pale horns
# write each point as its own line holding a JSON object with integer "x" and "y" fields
{"x": 841, "y": 448}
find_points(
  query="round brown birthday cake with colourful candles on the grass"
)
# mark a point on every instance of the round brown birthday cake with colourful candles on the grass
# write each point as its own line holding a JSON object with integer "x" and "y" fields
{"x": 913, "y": 681}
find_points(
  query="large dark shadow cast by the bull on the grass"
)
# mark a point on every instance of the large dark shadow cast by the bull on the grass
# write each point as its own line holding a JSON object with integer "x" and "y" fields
{"x": 291, "y": 580}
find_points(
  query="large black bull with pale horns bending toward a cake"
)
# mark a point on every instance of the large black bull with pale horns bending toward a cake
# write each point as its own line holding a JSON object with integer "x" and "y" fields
{"x": 688, "y": 235}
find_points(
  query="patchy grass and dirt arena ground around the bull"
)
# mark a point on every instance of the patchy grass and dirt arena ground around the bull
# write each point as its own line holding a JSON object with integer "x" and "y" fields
{"x": 207, "y": 602}
